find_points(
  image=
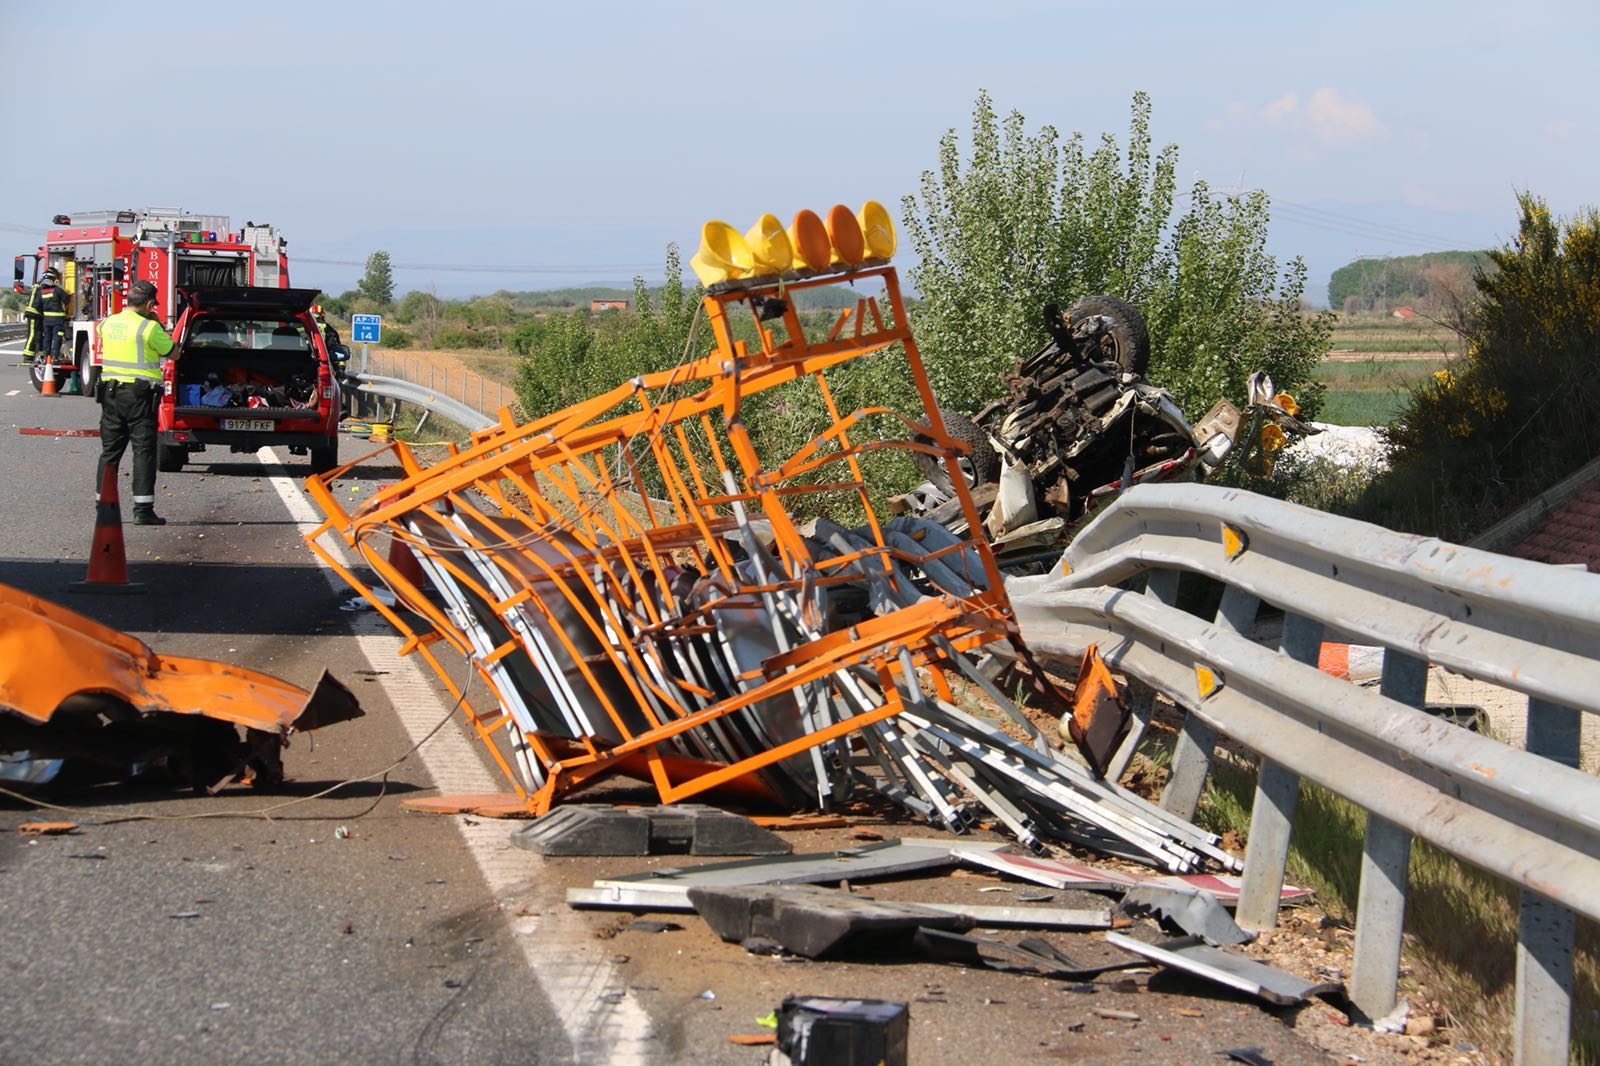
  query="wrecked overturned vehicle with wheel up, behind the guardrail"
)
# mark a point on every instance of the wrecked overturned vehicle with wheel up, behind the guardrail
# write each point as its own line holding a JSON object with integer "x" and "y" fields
{"x": 1079, "y": 425}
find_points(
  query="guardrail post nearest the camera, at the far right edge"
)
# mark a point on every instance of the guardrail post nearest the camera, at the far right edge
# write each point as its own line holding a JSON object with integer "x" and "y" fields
{"x": 1545, "y": 929}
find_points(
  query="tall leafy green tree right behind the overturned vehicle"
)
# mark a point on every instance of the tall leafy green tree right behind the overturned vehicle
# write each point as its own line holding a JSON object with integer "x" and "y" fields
{"x": 1030, "y": 218}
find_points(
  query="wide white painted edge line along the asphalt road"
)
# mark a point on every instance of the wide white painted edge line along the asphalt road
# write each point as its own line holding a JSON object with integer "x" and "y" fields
{"x": 559, "y": 948}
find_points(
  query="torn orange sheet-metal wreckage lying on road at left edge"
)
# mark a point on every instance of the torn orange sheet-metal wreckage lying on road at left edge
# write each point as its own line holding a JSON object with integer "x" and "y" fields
{"x": 71, "y": 687}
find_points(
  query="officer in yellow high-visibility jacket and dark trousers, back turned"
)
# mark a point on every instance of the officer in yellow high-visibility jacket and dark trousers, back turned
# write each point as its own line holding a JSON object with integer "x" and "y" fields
{"x": 132, "y": 348}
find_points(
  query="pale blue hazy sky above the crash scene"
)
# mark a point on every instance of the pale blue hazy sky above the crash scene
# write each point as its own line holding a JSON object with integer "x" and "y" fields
{"x": 575, "y": 143}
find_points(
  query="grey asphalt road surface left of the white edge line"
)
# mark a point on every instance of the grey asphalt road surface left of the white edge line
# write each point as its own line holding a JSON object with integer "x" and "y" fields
{"x": 383, "y": 947}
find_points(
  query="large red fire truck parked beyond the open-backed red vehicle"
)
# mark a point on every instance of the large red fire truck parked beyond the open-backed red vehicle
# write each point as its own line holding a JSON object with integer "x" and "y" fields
{"x": 102, "y": 254}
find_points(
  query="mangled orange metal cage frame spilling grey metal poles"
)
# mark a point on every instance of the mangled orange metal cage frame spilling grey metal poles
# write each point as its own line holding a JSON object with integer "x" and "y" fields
{"x": 638, "y": 588}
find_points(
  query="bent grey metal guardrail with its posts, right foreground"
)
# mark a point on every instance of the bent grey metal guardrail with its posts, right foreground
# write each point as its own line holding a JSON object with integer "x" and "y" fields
{"x": 1529, "y": 817}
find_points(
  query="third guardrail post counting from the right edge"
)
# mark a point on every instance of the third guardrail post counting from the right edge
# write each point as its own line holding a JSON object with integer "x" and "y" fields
{"x": 1278, "y": 795}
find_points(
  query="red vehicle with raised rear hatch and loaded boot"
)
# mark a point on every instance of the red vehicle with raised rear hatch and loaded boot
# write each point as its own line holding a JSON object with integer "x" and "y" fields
{"x": 249, "y": 369}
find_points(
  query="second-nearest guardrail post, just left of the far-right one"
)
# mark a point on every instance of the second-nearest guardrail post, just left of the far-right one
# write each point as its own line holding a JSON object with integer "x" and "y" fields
{"x": 1386, "y": 867}
